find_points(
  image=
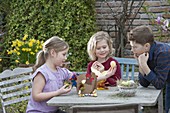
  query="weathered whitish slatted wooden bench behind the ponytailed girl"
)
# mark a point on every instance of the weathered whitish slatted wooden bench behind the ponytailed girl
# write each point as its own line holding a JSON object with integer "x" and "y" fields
{"x": 15, "y": 86}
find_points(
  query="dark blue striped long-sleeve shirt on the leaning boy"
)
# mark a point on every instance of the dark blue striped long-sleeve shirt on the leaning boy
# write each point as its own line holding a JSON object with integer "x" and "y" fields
{"x": 159, "y": 64}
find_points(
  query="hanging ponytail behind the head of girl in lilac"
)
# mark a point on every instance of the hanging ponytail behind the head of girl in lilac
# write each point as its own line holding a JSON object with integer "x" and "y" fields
{"x": 40, "y": 60}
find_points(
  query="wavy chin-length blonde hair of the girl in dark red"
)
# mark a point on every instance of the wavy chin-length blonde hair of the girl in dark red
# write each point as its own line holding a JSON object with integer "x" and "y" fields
{"x": 91, "y": 47}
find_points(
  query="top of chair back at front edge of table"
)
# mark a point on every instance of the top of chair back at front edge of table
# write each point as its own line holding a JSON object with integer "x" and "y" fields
{"x": 110, "y": 108}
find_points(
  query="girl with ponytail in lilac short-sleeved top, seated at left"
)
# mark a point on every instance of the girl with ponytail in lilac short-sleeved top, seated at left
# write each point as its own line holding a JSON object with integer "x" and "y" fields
{"x": 48, "y": 77}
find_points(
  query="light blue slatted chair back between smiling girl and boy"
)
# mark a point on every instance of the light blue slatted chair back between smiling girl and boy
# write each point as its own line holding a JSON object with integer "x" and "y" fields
{"x": 127, "y": 67}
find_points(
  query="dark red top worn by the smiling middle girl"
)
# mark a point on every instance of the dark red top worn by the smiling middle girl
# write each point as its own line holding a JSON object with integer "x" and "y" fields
{"x": 112, "y": 79}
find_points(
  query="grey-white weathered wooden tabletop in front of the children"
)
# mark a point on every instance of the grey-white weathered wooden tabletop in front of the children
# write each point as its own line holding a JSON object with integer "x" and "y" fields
{"x": 144, "y": 97}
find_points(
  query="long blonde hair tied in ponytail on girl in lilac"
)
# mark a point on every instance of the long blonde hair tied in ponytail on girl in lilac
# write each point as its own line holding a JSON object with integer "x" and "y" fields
{"x": 55, "y": 43}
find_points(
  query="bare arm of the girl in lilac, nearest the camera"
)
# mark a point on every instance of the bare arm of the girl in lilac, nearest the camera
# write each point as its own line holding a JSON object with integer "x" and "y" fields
{"x": 38, "y": 85}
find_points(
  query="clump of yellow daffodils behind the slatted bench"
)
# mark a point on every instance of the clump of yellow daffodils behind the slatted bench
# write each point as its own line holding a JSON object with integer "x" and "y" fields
{"x": 24, "y": 51}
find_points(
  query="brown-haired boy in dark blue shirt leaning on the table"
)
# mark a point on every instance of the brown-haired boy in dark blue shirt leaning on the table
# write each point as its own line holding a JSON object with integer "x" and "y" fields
{"x": 153, "y": 58}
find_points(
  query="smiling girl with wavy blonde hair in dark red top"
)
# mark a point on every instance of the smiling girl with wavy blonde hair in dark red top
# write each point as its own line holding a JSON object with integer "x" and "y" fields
{"x": 100, "y": 51}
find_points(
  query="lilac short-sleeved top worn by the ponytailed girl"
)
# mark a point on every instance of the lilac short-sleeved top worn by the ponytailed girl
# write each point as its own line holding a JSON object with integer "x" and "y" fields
{"x": 54, "y": 81}
